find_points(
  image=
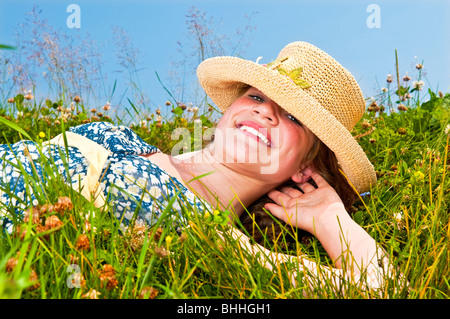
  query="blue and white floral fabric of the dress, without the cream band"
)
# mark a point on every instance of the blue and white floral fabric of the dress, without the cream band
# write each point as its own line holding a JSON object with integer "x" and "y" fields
{"x": 133, "y": 187}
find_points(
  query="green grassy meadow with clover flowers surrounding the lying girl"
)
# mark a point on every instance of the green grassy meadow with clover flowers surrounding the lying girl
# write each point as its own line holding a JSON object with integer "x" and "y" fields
{"x": 68, "y": 248}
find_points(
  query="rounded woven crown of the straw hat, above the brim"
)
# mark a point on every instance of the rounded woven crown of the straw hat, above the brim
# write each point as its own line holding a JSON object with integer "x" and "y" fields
{"x": 330, "y": 83}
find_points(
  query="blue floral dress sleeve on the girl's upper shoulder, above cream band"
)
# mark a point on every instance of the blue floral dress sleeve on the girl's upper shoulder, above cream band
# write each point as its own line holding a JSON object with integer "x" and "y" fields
{"x": 117, "y": 139}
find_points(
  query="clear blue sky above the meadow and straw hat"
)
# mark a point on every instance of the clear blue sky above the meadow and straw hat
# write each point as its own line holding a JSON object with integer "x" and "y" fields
{"x": 419, "y": 30}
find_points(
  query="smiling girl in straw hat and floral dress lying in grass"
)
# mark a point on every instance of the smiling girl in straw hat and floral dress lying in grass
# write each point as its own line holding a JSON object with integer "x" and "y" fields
{"x": 286, "y": 120}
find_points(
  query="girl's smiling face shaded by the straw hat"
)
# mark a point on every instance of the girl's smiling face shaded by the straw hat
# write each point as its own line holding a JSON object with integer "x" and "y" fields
{"x": 255, "y": 134}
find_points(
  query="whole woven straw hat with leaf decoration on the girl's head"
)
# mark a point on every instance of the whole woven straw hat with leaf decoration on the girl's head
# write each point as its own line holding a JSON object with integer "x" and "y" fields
{"x": 309, "y": 84}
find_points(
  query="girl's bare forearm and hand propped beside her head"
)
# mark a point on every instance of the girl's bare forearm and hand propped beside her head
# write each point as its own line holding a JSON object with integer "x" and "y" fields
{"x": 321, "y": 212}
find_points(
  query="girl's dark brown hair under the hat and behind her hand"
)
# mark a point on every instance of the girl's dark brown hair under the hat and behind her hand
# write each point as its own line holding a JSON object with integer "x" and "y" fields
{"x": 268, "y": 231}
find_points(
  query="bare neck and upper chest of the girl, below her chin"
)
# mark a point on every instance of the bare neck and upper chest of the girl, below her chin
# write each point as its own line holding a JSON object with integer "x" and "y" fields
{"x": 217, "y": 183}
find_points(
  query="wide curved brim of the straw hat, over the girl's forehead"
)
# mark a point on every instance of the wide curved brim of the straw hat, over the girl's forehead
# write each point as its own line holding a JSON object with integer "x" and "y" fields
{"x": 224, "y": 79}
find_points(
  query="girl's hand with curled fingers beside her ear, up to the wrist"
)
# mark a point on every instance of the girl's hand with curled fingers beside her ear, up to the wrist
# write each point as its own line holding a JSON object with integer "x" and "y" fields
{"x": 306, "y": 210}
